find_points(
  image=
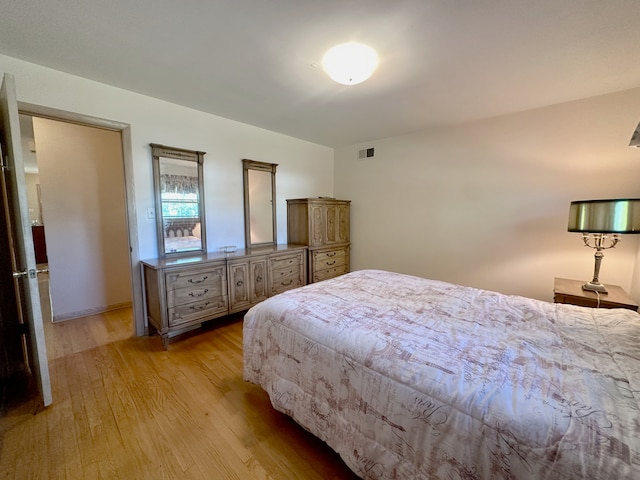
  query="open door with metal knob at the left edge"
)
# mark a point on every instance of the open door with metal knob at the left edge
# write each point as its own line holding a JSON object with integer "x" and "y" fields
{"x": 25, "y": 272}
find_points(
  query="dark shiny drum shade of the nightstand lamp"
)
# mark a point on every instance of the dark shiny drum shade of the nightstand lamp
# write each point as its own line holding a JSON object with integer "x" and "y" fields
{"x": 605, "y": 216}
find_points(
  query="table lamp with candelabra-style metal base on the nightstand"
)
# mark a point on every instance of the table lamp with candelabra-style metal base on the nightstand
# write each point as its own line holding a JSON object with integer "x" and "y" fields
{"x": 601, "y": 223}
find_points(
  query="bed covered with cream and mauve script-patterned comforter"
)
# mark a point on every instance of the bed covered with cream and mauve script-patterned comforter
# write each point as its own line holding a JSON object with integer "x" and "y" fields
{"x": 409, "y": 378}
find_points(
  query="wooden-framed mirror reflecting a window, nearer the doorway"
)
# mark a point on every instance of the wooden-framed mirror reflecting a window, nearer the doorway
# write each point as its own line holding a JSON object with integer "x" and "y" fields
{"x": 178, "y": 184}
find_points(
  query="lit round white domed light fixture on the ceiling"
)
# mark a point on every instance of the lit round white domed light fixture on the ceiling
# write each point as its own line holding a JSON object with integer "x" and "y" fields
{"x": 350, "y": 63}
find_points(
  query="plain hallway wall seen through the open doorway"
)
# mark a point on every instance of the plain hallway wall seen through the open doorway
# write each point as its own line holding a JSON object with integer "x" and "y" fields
{"x": 82, "y": 183}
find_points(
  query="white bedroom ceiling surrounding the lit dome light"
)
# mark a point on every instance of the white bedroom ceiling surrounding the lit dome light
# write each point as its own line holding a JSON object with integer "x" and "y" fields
{"x": 442, "y": 61}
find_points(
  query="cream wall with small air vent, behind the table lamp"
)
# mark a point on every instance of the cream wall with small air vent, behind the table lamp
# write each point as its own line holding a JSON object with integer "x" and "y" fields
{"x": 486, "y": 204}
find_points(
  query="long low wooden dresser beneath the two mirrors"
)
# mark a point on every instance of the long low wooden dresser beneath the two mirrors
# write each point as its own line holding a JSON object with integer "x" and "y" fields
{"x": 183, "y": 292}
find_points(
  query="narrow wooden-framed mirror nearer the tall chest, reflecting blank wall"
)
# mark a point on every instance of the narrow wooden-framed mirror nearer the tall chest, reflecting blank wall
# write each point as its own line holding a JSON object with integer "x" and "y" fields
{"x": 260, "y": 226}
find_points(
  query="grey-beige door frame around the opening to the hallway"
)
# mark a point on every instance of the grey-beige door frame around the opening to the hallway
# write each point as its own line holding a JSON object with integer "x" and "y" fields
{"x": 139, "y": 323}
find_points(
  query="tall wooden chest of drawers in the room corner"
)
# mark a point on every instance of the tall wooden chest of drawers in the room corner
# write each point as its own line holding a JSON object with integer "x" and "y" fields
{"x": 323, "y": 225}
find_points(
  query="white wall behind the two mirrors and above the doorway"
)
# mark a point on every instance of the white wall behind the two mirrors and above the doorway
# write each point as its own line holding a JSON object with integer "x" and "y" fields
{"x": 305, "y": 169}
